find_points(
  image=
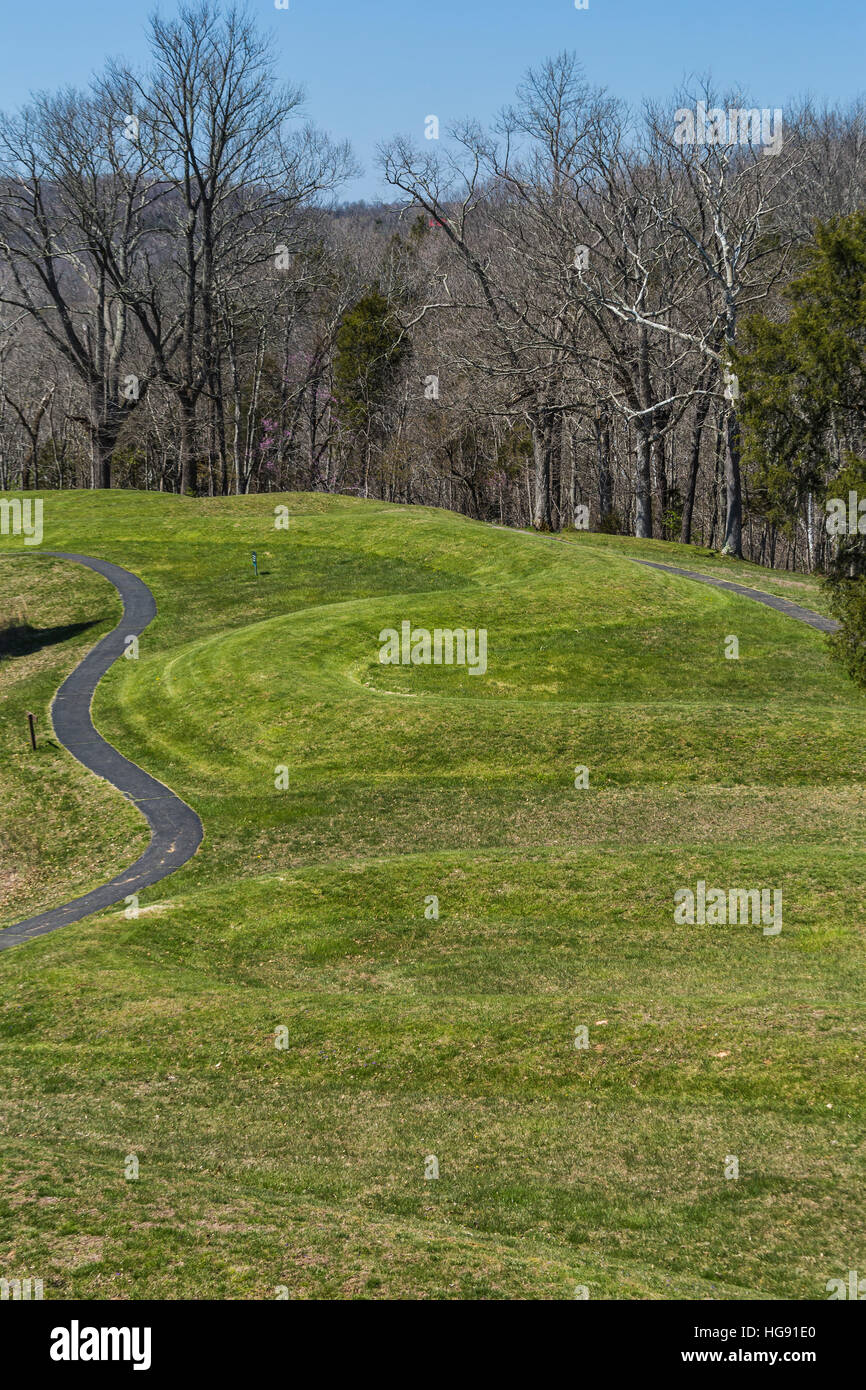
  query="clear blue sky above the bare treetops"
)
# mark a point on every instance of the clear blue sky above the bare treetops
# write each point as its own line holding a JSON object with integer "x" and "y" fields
{"x": 376, "y": 67}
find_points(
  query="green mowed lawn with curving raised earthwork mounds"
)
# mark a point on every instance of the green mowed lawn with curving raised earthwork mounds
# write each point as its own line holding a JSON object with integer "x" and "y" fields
{"x": 302, "y": 922}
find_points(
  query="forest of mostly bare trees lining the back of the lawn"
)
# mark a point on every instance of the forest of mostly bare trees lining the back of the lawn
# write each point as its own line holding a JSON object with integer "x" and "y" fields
{"x": 572, "y": 318}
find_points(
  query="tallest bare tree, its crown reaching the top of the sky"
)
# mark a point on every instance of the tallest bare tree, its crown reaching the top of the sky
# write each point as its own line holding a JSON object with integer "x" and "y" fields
{"x": 236, "y": 174}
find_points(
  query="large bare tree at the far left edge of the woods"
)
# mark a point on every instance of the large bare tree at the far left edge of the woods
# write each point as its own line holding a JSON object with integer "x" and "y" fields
{"x": 74, "y": 194}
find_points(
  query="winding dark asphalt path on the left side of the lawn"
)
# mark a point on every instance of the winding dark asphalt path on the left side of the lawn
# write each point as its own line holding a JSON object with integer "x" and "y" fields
{"x": 176, "y": 829}
